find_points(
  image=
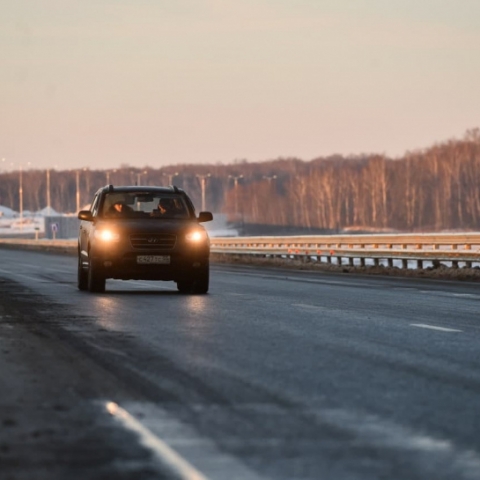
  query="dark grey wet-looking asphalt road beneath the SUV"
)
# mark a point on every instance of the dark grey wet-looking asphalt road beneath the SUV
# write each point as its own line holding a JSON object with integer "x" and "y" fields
{"x": 272, "y": 375}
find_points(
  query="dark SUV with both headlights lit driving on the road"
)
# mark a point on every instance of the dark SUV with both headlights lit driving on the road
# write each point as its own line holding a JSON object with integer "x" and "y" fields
{"x": 143, "y": 233}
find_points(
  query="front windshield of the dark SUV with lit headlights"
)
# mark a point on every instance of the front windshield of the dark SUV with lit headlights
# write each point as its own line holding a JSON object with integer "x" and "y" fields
{"x": 144, "y": 204}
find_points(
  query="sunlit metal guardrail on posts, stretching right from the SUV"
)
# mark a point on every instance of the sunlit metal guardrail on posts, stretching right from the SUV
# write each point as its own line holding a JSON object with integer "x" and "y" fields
{"x": 454, "y": 248}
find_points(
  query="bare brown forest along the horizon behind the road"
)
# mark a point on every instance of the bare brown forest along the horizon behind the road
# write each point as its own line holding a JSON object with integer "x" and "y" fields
{"x": 430, "y": 190}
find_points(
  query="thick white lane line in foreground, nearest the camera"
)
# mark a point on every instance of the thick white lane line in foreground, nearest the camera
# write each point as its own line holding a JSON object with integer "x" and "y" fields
{"x": 171, "y": 459}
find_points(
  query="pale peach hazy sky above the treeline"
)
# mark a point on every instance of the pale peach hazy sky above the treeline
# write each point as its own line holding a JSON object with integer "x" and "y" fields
{"x": 101, "y": 83}
